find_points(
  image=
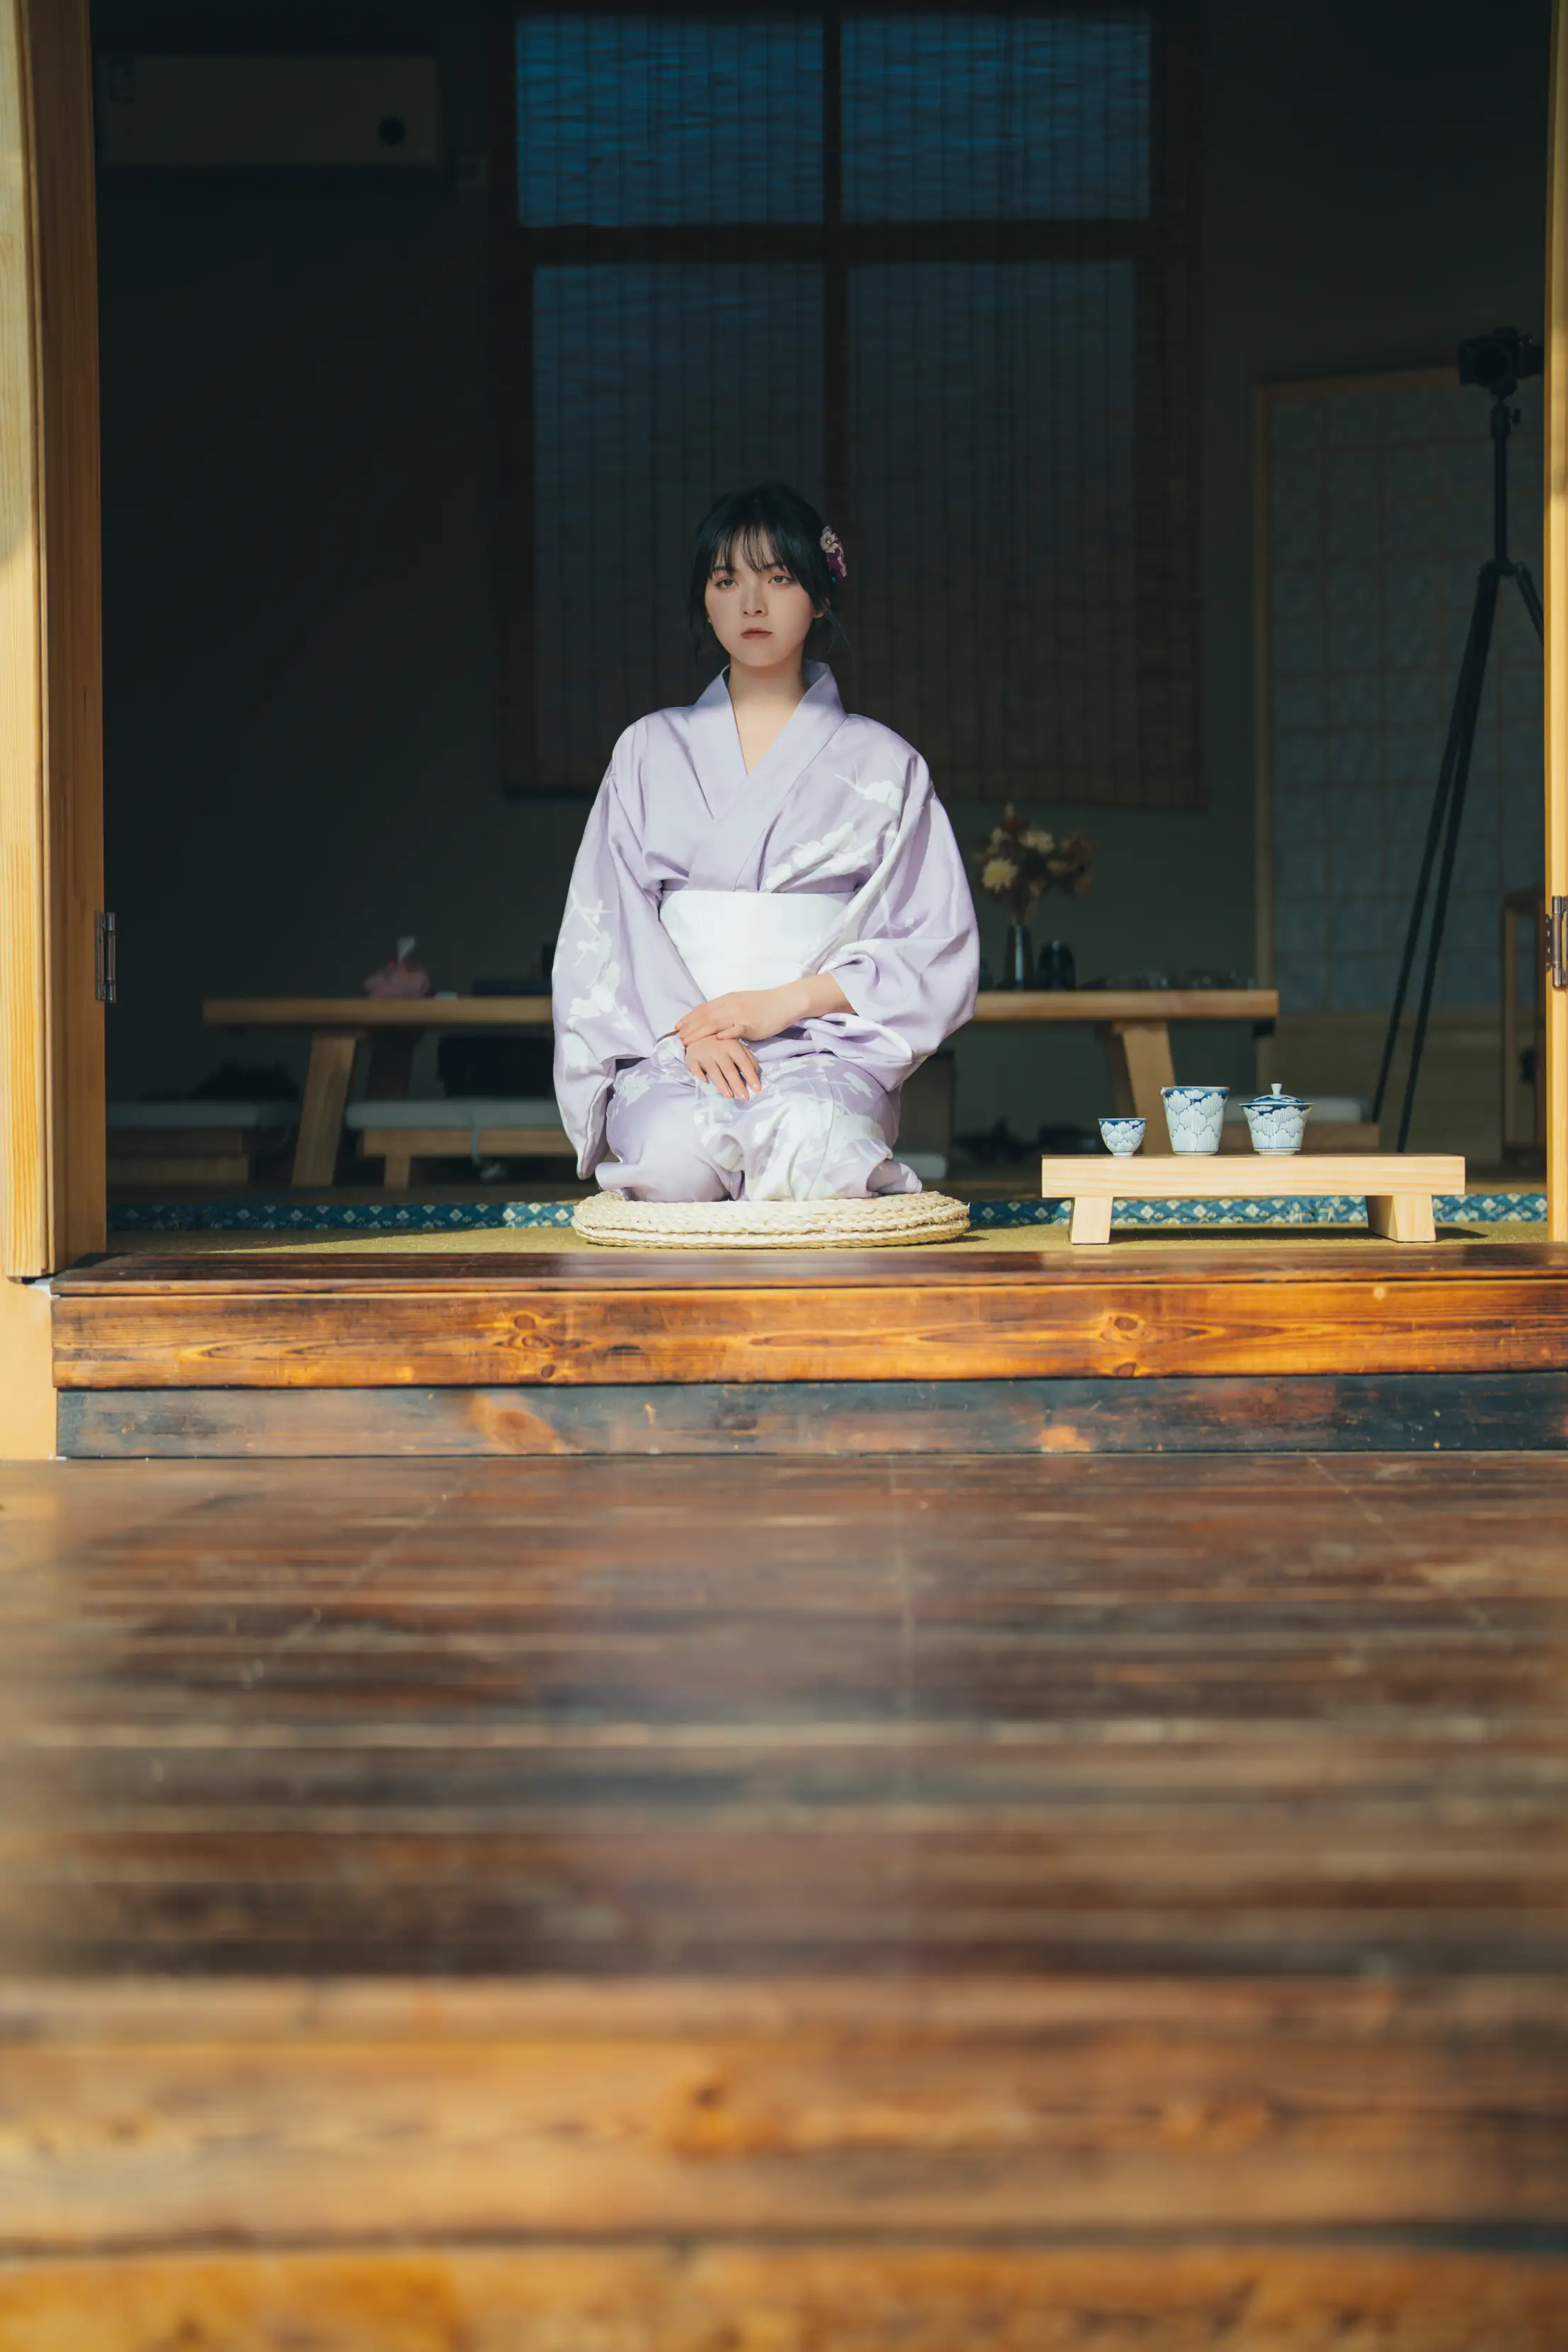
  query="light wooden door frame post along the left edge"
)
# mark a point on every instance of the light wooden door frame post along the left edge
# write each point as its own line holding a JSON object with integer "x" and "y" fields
{"x": 53, "y": 1189}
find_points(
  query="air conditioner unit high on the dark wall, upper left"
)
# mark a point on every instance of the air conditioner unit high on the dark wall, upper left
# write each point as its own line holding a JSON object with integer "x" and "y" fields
{"x": 269, "y": 114}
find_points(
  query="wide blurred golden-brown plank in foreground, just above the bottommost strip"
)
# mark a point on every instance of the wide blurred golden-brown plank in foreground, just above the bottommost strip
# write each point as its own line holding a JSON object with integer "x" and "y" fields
{"x": 880, "y": 2127}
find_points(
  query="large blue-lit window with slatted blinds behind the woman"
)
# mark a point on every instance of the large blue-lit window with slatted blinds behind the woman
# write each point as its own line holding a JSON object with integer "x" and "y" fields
{"x": 930, "y": 267}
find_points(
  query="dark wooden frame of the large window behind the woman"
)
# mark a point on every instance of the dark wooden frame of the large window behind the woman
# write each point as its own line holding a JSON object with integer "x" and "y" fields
{"x": 1165, "y": 773}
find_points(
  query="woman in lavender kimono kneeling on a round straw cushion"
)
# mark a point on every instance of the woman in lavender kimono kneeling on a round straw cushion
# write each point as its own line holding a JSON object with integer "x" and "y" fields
{"x": 770, "y": 923}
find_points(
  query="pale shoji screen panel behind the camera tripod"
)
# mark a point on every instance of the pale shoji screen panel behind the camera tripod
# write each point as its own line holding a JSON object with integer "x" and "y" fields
{"x": 1379, "y": 516}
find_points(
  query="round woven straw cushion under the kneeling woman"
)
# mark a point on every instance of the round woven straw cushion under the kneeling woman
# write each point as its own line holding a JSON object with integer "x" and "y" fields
{"x": 890, "y": 1222}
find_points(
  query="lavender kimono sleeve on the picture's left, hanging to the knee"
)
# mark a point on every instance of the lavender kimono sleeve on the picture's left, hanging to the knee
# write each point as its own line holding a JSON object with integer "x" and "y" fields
{"x": 617, "y": 982}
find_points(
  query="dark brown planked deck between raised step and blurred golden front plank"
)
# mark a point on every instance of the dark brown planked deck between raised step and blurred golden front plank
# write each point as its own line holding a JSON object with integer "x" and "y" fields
{"x": 690, "y": 1718}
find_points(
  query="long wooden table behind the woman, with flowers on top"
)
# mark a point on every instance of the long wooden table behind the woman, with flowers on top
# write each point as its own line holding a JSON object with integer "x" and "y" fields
{"x": 1134, "y": 1029}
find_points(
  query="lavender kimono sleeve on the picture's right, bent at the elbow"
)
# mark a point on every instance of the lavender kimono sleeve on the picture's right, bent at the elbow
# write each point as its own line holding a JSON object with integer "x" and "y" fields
{"x": 911, "y": 958}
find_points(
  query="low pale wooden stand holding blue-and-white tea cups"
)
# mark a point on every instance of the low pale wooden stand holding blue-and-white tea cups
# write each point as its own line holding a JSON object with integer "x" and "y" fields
{"x": 1398, "y": 1187}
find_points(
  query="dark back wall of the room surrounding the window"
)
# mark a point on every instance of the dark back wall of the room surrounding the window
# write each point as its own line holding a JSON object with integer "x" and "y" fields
{"x": 297, "y": 528}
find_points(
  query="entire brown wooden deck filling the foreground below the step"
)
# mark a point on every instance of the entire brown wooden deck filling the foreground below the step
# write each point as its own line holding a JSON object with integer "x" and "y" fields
{"x": 662, "y": 1904}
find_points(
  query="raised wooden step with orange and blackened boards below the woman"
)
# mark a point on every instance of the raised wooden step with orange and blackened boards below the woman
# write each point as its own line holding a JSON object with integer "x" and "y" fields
{"x": 1217, "y": 1342}
